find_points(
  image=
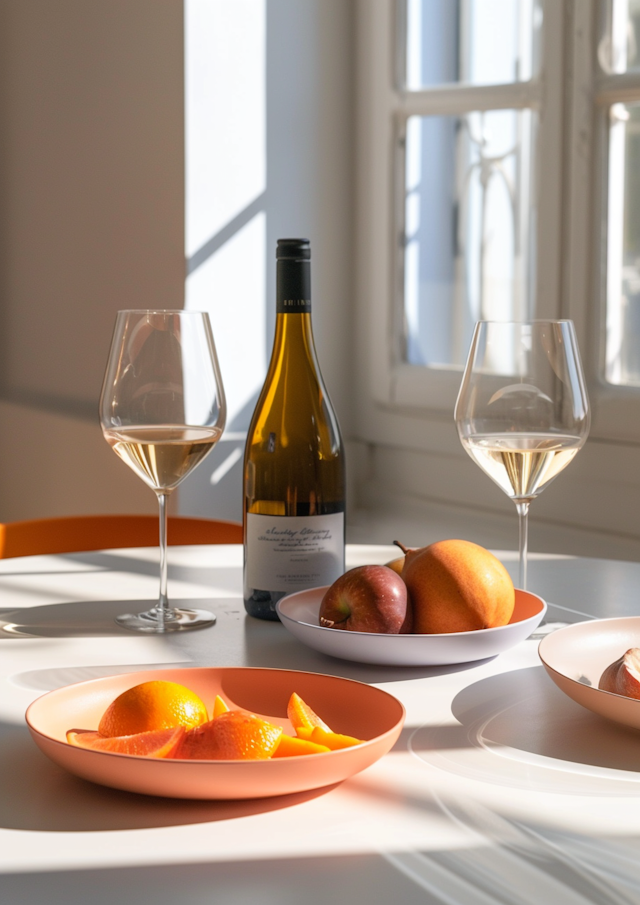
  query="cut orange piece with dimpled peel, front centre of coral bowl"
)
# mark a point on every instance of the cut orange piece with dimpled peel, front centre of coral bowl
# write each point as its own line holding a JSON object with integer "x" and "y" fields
{"x": 234, "y": 735}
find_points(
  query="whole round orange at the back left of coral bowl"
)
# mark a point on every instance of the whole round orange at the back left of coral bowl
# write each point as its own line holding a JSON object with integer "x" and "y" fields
{"x": 152, "y": 706}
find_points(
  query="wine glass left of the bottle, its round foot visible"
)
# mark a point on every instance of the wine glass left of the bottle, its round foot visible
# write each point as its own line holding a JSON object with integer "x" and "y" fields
{"x": 162, "y": 409}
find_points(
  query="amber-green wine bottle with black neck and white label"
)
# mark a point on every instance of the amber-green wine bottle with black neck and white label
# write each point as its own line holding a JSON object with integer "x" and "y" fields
{"x": 294, "y": 481}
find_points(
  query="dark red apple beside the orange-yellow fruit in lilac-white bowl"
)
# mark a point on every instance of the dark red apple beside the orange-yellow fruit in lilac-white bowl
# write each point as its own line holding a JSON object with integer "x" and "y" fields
{"x": 367, "y": 599}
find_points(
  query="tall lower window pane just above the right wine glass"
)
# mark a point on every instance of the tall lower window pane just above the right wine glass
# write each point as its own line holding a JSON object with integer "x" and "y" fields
{"x": 469, "y": 217}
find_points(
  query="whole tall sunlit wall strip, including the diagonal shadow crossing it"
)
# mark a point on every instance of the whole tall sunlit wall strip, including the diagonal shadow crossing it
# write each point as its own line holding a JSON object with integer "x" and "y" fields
{"x": 225, "y": 104}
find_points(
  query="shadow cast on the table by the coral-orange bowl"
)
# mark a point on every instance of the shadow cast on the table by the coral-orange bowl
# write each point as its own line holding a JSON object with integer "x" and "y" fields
{"x": 37, "y": 795}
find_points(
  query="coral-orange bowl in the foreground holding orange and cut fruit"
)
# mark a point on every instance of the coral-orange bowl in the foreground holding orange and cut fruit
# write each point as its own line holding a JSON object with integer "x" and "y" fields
{"x": 349, "y": 707}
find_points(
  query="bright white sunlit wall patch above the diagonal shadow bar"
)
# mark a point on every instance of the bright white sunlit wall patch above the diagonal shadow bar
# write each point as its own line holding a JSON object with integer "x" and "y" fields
{"x": 225, "y": 112}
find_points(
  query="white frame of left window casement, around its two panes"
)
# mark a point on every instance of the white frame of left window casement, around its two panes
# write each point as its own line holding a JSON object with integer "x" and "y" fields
{"x": 385, "y": 108}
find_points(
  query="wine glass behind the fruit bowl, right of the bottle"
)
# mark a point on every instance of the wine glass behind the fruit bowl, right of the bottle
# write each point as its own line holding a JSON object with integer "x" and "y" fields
{"x": 522, "y": 412}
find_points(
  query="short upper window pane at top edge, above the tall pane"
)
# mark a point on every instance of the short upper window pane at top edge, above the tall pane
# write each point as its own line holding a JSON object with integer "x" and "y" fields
{"x": 479, "y": 42}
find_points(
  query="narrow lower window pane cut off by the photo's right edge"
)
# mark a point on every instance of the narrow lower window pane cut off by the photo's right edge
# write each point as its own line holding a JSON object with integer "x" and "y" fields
{"x": 623, "y": 254}
